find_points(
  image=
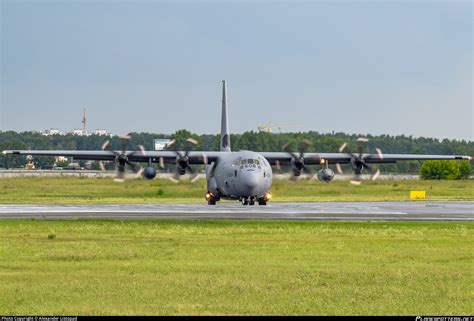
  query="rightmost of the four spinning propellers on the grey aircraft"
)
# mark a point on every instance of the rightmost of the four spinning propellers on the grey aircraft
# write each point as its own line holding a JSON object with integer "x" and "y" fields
{"x": 358, "y": 161}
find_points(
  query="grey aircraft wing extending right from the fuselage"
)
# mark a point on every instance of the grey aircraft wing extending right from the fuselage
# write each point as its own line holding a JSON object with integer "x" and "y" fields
{"x": 344, "y": 158}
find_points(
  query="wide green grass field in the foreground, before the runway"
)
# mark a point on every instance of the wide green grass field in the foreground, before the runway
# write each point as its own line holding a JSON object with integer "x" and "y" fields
{"x": 235, "y": 268}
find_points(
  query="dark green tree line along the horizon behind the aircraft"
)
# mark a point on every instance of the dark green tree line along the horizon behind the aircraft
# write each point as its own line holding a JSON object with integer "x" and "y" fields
{"x": 255, "y": 141}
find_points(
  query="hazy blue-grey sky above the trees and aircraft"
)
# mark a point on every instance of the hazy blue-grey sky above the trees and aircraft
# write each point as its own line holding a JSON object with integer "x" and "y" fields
{"x": 379, "y": 67}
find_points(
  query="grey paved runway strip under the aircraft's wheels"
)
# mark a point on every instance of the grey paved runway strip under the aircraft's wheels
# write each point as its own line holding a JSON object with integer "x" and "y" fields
{"x": 320, "y": 211}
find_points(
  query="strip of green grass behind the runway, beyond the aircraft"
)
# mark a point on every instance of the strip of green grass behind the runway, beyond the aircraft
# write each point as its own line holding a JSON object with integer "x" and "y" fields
{"x": 68, "y": 190}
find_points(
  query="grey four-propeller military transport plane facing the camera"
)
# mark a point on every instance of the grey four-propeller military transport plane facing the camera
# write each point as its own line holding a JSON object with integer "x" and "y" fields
{"x": 243, "y": 175}
